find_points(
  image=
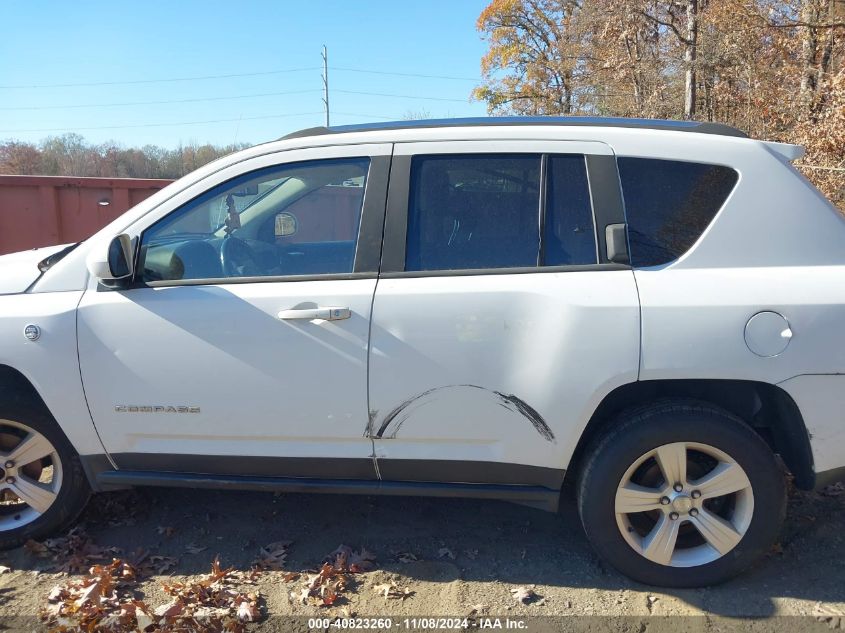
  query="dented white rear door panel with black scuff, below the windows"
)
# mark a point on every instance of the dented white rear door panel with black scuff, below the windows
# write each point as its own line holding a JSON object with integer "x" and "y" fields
{"x": 495, "y": 369}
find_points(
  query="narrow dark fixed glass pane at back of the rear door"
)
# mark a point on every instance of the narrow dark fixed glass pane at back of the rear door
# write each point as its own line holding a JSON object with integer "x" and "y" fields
{"x": 569, "y": 236}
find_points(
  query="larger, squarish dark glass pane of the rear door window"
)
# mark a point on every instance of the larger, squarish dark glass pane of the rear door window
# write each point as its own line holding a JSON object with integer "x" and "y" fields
{"x": 473, "y": 211}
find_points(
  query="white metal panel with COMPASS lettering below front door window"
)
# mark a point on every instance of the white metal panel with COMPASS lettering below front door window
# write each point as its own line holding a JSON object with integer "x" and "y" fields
{"x": 253, "y": 385}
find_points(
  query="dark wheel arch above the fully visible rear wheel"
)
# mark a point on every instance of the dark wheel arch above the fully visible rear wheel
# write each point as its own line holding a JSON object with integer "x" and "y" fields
{"x": 767, "y": 408}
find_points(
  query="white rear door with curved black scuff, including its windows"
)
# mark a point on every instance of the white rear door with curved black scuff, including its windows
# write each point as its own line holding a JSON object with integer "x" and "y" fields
{"x": 499, "y": 322}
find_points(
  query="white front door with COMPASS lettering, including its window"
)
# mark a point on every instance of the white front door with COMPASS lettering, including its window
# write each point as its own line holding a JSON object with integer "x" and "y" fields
{"x": 242, "y": 346}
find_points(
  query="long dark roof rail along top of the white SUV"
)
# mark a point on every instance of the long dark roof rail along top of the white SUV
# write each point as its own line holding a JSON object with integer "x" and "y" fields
{"x": 698, "y": 127}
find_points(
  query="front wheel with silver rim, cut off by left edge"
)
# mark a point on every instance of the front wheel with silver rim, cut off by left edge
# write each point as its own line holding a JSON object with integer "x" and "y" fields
{"x": 42, "y": 485}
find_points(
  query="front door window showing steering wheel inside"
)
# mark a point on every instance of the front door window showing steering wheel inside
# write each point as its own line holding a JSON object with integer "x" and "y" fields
{"x": 295, "y": 219}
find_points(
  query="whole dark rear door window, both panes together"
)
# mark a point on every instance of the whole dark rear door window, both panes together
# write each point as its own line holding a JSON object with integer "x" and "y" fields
{"x": 482, "y": 211}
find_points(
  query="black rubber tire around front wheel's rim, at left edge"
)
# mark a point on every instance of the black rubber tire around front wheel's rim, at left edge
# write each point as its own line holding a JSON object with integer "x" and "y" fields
{"x": 74, "y": 491}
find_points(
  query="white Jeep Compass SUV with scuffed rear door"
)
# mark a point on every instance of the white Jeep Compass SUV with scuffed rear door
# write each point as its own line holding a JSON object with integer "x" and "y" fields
{"x": 482, "y": 308}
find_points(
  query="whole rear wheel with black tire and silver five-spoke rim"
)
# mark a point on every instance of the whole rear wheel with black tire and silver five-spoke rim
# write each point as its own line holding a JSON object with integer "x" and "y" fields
{"x": 681, "y": 494}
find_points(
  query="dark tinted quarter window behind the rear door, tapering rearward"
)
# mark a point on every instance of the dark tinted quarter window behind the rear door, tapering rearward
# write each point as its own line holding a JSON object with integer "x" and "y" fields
{"x": 669, "y": 204}
